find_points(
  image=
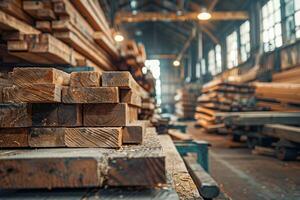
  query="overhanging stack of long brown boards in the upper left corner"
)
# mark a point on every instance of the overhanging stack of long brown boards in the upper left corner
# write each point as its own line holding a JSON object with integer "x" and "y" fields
{"x": 65, "y": 32}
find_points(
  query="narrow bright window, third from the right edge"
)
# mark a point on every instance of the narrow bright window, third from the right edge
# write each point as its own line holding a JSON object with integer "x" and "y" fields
{"x": 245, "y": 41}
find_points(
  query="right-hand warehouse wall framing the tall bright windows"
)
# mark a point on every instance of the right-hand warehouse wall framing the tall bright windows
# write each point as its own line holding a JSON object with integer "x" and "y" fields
{"x": 270, "y": 61}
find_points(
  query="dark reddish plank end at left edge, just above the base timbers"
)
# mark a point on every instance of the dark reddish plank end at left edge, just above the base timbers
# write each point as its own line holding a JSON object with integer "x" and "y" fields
{"x": 14, "y": 137}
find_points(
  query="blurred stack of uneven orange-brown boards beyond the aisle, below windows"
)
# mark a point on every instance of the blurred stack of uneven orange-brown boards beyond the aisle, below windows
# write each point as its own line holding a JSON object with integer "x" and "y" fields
{"x": 223, "y": 97}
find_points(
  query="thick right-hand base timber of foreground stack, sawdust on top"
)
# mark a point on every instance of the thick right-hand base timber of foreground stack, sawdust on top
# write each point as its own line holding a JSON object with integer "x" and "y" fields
{"x": 126, "y": 171}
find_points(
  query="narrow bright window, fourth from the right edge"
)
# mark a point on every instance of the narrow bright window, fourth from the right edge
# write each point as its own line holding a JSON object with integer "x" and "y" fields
{"x": 232, "y": 50}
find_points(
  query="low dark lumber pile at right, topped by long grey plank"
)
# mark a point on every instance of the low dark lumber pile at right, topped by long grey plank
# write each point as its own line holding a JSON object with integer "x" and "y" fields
{"x": 267, "y": 129}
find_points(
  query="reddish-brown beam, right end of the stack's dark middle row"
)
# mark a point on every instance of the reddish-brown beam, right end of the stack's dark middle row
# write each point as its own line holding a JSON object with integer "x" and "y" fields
{"x": 106, "y": 115}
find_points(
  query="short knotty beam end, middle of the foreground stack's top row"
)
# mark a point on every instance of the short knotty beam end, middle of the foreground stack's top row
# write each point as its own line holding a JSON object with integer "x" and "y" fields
{"x": 85, "y": 79}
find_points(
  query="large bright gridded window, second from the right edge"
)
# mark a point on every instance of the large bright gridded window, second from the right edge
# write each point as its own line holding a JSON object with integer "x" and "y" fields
{"x": 271, "y": 25}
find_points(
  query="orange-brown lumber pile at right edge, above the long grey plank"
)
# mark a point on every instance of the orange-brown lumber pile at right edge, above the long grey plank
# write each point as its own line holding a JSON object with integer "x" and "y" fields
{"x": 278, "y": 96}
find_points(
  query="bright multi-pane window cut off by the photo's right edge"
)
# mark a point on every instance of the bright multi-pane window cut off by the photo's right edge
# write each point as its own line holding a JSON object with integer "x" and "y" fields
{"x": 292, "y": 19}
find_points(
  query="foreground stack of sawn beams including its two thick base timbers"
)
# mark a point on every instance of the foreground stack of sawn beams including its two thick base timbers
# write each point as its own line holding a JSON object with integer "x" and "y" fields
{"x": 76, "y": 130}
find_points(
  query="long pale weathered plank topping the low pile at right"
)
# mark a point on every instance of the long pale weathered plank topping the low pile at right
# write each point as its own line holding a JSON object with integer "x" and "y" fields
{"x": 260, "y": 118}
